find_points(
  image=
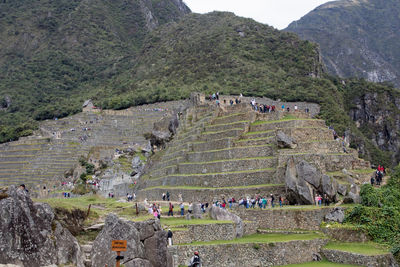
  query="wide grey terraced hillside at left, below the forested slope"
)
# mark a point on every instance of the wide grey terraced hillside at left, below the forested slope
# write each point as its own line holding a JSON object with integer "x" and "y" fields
{"x": 44, "y": 157}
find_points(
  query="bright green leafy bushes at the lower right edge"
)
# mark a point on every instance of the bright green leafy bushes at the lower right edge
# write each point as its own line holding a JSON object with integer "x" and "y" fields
{"x": 379, "y": 212}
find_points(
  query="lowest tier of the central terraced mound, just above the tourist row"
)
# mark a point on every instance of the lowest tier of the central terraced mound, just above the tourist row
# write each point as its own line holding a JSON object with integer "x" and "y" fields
{"x": 202, "y": 194}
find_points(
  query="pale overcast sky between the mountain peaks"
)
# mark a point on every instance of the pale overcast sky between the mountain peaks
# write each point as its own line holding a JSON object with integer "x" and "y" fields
{"x": 277, "y": 13}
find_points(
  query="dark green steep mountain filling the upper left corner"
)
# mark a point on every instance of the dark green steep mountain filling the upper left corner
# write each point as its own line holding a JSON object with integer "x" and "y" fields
{"x": 53, "y": 54}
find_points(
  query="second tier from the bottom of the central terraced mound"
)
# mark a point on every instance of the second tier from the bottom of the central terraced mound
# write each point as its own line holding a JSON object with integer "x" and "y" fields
{"x": 223, "y": 179}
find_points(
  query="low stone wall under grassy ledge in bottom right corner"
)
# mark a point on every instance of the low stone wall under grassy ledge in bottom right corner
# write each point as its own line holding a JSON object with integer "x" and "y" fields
{"x": 358, "y": 259}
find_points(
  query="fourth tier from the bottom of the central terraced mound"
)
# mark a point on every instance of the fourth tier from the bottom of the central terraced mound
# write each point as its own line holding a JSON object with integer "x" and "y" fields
{"x": 231, "y": 153}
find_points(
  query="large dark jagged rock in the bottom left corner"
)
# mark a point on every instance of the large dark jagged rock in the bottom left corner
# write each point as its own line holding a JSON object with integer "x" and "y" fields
{"x": 30, "y": 235}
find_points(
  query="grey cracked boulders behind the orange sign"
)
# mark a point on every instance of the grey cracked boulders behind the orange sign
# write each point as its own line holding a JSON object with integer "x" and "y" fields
{"x": 146, "y": 243}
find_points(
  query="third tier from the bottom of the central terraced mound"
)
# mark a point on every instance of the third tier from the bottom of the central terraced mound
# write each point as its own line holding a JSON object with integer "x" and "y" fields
{"x": 227, "y": 165}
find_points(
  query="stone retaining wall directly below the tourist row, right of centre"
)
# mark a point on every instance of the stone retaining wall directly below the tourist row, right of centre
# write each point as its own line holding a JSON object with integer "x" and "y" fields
{"x": 284, "y": 218}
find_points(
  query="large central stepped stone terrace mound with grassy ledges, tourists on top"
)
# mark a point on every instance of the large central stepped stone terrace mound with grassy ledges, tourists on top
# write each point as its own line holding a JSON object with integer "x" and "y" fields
{"x": 231, "y": 151}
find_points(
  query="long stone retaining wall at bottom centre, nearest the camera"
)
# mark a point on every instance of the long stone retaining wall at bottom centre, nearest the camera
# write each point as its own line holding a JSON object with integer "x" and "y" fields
{"x": 240, "y": 255}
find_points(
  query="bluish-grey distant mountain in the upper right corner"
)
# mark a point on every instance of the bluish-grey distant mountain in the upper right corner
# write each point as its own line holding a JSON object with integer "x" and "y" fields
{"x": 358, "y": 38}
